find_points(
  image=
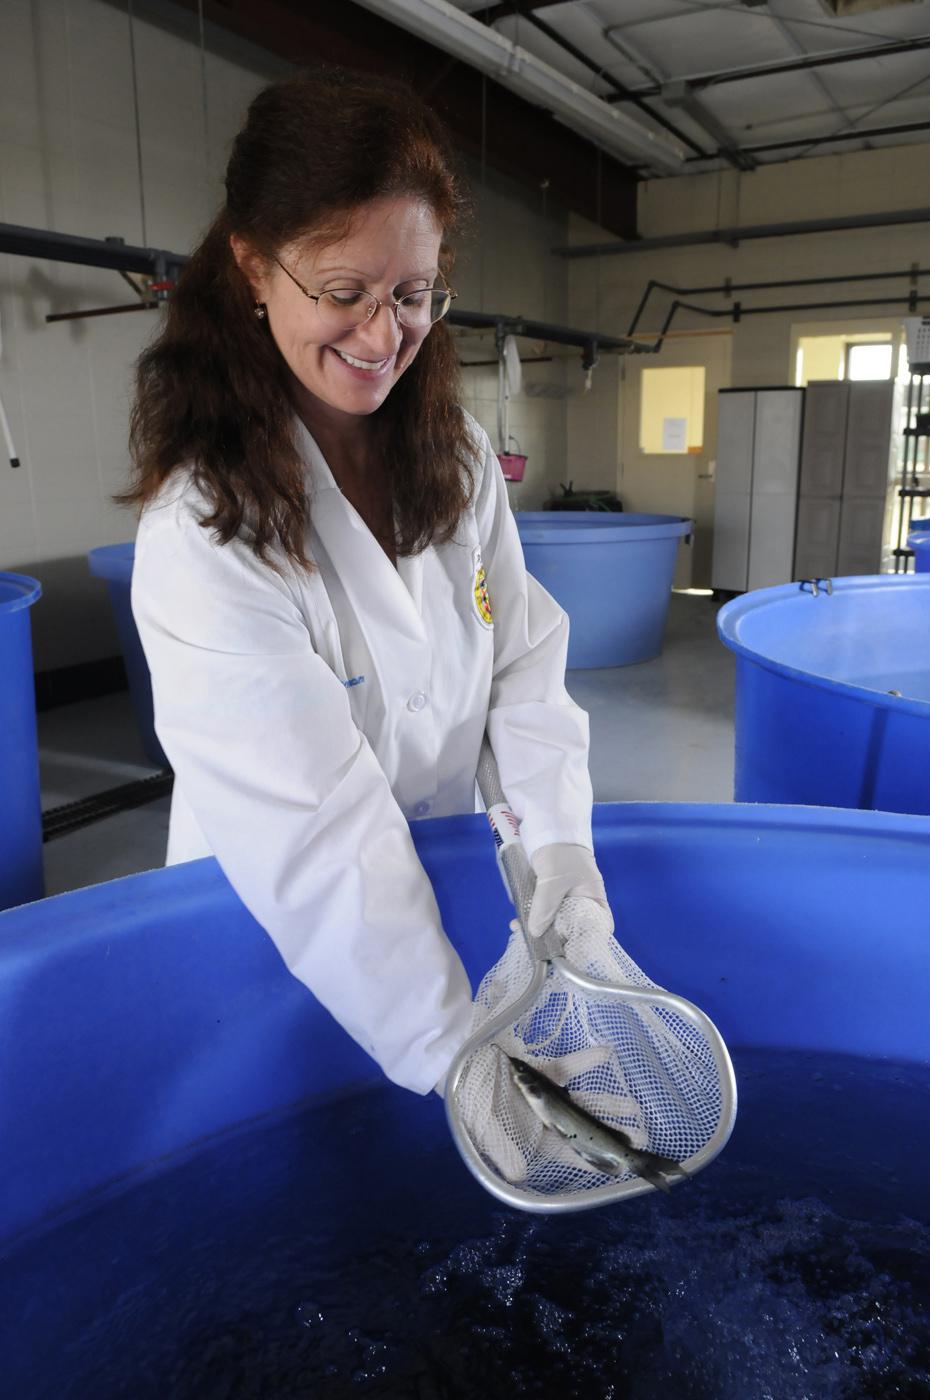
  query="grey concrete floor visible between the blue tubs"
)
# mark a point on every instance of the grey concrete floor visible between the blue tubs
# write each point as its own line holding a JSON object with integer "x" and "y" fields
{"x": 660, "y": 731}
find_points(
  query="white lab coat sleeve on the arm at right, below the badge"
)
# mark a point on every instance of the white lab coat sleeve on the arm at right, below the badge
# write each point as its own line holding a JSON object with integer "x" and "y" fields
{"x": 539, "y": 734}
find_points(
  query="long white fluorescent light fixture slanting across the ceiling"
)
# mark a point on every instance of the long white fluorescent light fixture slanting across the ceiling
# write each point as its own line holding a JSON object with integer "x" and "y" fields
{"x": 454, "y": 31}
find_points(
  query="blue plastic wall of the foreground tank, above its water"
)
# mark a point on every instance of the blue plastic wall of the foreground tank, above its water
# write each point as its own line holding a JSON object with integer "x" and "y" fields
{"x": 142, "y": 1017}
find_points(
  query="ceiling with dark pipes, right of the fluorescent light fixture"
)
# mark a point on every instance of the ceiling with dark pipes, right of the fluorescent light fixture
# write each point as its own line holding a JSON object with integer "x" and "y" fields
{"x": 736, "y": 83}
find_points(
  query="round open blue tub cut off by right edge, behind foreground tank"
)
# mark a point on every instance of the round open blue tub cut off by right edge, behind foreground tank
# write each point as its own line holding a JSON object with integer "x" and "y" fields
{"x": 817, "y": 716}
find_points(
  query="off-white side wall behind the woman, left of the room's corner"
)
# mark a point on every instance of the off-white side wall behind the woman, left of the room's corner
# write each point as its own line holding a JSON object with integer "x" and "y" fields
{"x": 69, "y": 163}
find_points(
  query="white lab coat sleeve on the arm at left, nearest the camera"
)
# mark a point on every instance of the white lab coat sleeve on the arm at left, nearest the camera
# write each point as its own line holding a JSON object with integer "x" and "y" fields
{"x": 292, "y": 799}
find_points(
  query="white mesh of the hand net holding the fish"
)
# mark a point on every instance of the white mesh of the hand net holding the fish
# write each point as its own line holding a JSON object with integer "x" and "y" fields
{"x": 638, "y": 1067}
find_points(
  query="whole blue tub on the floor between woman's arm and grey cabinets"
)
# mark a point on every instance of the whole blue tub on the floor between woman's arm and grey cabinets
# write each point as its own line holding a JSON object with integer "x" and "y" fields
{"x": 613, "y": 573}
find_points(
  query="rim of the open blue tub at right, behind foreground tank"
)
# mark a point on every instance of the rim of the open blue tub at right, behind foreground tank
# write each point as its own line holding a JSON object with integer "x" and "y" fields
{"x": 737, "y": 608}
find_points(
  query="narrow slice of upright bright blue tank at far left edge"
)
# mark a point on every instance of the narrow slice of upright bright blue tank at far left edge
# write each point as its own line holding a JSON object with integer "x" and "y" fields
{"x": 22, "y": 876}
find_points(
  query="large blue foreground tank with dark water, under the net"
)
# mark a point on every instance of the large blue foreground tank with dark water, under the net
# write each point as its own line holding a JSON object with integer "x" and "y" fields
{"x": 144, "y": 1021}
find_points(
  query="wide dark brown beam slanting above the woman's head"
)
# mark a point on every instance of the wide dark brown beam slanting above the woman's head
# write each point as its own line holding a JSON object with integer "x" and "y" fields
{"x": 520, "y": 139}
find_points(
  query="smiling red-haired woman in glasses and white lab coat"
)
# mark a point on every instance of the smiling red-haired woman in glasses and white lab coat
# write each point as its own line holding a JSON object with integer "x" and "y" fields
{"x": 328, "y": 580}
